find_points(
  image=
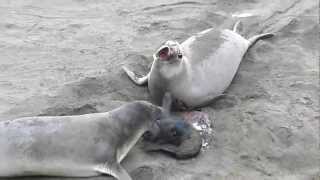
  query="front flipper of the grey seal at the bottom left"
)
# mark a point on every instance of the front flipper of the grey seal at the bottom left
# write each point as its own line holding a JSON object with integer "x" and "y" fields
{"x": 116, "y": 171}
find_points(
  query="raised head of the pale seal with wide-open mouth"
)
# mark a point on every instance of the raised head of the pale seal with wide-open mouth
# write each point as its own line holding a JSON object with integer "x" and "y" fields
{"x": 169, "y": 52}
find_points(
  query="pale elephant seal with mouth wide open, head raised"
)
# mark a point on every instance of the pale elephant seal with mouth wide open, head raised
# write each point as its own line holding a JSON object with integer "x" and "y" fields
{"x": 197, "y": 70}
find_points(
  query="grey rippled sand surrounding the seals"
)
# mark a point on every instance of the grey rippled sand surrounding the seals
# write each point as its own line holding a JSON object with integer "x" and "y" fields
{"x": 64, "y": 57}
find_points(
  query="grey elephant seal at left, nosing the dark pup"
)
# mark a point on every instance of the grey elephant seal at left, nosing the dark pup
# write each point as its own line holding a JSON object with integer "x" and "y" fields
{"x": 74, "y": 146}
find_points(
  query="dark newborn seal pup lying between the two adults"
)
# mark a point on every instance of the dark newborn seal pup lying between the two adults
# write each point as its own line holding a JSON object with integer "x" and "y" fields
{"x": 173, "y": 135}
